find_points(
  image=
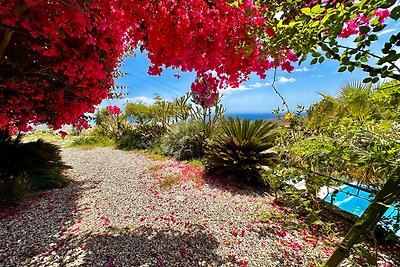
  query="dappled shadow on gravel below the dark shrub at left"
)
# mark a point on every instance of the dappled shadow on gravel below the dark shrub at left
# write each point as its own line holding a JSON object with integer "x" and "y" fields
{"x": 37, "y": 227}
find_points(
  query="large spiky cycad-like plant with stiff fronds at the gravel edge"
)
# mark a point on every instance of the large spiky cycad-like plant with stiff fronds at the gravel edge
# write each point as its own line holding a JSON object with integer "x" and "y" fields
{"x": 242, "y": 148}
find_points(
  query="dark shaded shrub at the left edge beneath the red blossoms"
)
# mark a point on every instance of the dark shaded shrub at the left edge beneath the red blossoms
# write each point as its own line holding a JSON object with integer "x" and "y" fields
{"x": 33, "y": 166}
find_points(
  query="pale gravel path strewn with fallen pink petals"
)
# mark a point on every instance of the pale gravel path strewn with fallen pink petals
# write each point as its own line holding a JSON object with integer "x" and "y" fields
{"x": 125, "y": 209}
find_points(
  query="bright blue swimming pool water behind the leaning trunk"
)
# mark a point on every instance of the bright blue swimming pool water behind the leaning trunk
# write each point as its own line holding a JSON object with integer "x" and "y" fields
{"x": 356, "y": 202}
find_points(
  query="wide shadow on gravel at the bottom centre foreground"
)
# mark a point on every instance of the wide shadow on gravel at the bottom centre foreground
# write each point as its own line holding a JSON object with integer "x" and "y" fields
{"x": 146, "y": 246}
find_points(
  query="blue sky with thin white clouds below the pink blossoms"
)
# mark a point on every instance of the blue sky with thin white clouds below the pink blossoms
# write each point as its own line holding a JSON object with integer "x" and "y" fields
{"x": 301, "y": 87}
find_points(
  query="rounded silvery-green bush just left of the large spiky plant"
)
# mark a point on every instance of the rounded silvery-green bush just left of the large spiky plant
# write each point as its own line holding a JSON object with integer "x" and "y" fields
{"x": 185, "y": 140}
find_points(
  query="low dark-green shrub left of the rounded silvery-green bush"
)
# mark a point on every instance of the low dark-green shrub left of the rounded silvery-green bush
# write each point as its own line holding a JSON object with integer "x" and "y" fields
{"x": 142, "y": 137}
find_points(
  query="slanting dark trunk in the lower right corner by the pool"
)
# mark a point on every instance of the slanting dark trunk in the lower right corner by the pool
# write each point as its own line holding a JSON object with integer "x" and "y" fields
{"x": 388, "y": 194}
